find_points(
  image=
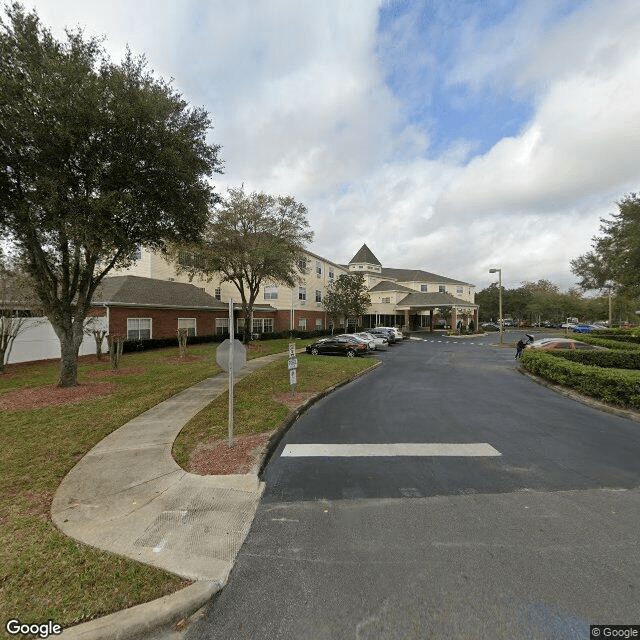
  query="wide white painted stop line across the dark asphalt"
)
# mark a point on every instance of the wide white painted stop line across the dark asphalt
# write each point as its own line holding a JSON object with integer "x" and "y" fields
{"x": 391, "y": 449}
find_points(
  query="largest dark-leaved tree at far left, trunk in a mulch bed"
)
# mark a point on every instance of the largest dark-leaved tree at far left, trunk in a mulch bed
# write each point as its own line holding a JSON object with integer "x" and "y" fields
{"x": 96, "y": 159}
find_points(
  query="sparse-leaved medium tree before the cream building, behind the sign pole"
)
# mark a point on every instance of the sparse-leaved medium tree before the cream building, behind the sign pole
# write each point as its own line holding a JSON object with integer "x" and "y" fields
{"x": 251, "y": 239}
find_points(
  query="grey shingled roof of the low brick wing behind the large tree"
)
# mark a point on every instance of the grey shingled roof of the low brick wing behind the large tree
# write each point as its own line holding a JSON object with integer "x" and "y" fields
{"x": 135, "y": 291}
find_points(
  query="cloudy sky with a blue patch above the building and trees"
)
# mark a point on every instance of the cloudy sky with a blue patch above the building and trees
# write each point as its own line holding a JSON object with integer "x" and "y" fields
{"x": 449, "y": 135}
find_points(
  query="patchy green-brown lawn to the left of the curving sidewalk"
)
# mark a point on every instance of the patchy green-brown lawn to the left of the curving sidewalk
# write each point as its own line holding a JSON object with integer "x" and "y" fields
{"x": 43, "y": 574}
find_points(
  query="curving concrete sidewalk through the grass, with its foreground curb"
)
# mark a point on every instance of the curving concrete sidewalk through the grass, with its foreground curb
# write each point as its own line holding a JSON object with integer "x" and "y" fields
{"x": 128, "y": 496}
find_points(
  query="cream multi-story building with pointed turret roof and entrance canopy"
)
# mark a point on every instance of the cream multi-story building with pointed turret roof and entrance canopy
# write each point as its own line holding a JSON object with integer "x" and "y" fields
{"x": 409, "y": 298}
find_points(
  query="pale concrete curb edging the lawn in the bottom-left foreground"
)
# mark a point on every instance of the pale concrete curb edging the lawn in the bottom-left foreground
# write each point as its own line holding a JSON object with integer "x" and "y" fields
{"x": 139, "y": 621}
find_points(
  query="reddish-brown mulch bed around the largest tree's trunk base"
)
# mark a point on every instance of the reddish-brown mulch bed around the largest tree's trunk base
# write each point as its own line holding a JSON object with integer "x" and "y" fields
{"x": 54, "y": 396}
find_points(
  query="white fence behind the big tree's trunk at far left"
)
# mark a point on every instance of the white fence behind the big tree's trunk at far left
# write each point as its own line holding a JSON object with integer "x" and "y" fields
{"x": 38, "y": 341}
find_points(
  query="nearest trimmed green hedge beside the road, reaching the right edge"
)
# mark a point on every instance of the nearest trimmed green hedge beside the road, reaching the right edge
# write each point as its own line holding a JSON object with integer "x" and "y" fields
{"x": 617, "y": 386}
